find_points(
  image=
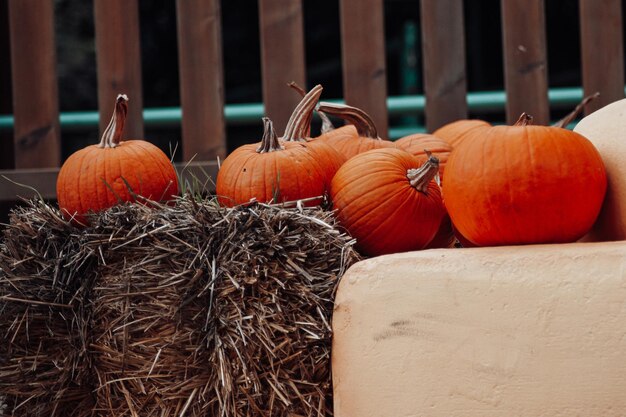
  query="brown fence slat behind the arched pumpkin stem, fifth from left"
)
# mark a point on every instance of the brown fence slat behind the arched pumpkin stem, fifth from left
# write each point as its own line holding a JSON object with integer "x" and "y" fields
{"x": 363, "y": 58}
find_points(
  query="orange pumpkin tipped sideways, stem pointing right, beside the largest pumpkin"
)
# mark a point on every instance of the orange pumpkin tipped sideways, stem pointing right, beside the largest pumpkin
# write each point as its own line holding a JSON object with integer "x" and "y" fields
{"x": 377, "y": 204}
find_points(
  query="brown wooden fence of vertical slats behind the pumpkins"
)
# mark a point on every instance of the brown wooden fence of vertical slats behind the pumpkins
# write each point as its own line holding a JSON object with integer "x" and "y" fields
{"x": 37, "y": 139}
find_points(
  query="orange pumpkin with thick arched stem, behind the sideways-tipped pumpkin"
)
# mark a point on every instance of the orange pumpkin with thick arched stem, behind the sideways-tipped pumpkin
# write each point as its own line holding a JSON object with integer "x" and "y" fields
{"x": 343, "y": 139}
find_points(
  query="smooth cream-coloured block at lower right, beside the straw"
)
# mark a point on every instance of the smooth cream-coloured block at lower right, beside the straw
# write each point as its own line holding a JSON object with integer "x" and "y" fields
{"x": 508, "y": 331}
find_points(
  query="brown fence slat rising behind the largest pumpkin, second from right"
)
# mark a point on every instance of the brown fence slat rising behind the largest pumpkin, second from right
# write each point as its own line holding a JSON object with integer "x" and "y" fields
{"x": 525, "y": 61}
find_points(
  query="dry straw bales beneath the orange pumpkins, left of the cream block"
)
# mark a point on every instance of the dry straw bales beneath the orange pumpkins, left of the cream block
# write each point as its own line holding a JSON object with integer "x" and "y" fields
{"x": 181, "y": 310}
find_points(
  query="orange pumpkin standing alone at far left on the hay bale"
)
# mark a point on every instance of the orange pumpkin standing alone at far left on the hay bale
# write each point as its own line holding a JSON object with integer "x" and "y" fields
{"x": 113, "y": 171}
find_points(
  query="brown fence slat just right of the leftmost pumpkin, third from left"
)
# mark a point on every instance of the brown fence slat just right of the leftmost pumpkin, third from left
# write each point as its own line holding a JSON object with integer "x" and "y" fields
{"x": 201, "y": 79}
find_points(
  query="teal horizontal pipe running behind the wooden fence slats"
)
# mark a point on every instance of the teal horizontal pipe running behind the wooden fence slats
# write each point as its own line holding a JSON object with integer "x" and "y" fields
{"x": 238, "y": 114}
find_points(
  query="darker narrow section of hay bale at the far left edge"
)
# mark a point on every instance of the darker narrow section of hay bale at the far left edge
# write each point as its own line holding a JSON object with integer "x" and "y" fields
{"x": 44, "y": 277}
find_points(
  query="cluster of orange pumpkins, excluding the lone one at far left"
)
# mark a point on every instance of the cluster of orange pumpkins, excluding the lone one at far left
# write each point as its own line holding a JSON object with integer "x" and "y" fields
{"x": 504, "y": 185}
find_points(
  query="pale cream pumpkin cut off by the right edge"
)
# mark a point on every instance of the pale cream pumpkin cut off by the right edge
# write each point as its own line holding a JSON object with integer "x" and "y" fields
{"x": 605, "y": 129}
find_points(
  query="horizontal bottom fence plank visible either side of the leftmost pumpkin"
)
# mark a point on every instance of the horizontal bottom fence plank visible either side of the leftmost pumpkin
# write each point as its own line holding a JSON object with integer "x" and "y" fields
{"x": 29, "y": 183}
